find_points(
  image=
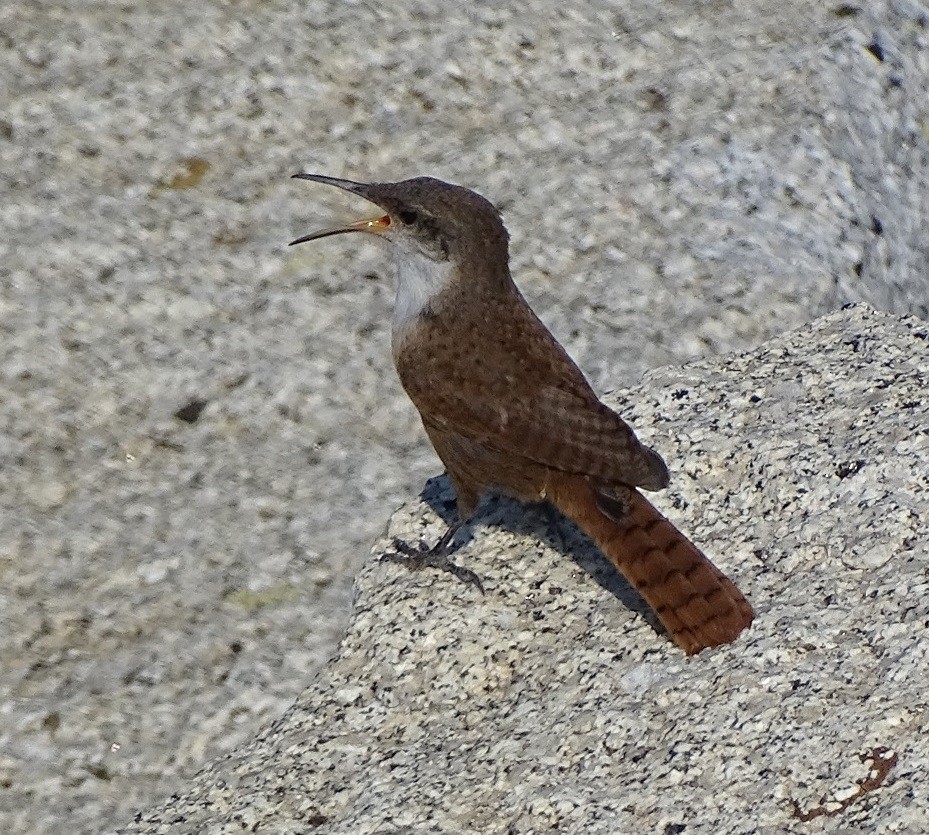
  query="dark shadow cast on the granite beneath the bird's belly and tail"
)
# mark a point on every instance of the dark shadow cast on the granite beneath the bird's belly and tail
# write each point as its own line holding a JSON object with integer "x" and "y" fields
{"x": 543, "y": 521}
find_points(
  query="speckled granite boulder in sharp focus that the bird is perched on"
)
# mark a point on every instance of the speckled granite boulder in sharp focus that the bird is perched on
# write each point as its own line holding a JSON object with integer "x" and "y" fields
{"x": 552, "y": 706}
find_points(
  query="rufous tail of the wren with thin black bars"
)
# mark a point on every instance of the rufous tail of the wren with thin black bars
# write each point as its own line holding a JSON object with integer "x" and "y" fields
{"x": 698, "y": 604}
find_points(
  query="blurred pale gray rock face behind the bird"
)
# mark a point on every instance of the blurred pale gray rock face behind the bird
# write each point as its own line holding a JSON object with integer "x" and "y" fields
{"x": 678, "y": 179}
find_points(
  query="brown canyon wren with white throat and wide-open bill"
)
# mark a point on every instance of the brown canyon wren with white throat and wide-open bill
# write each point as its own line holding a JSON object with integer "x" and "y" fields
{"x": 507, "y": 409}
